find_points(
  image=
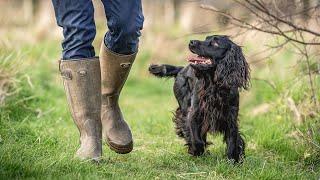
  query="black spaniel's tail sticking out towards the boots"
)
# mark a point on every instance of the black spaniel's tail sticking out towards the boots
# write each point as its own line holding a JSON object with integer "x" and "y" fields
{"x": 164, "y": 70}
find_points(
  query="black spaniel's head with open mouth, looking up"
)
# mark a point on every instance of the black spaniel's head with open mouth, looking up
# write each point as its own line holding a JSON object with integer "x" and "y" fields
{"x": 220, "y": 57}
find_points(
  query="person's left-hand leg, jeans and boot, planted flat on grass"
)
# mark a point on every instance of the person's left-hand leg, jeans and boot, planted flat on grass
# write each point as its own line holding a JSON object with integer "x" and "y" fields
{"x": 80, "y": 72}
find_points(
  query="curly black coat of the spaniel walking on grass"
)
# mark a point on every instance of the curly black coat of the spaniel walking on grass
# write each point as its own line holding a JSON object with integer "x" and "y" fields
{"x": 208, "y": 95}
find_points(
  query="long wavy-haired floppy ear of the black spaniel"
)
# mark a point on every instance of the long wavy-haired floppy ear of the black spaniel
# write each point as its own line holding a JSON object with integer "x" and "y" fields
{"x": 233, "y": 70}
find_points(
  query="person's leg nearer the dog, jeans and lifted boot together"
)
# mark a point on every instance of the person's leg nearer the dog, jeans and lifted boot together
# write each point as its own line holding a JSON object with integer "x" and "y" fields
{"x": 118, "y": 52}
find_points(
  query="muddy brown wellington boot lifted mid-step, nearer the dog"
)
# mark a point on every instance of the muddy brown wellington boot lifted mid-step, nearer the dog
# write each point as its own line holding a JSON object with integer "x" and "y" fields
{"x": 114, "y": 72}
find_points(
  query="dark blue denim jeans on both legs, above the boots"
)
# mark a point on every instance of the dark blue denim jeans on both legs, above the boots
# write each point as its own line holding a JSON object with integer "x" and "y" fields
{"x": 76, "y": 17}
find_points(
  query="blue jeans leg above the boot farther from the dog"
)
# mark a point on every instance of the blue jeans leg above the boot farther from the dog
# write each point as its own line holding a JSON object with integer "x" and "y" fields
{"x": 77, "y": 20}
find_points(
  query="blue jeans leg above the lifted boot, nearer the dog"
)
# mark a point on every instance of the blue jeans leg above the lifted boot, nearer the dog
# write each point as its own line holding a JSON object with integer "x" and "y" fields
{"x": 125, "y": 20}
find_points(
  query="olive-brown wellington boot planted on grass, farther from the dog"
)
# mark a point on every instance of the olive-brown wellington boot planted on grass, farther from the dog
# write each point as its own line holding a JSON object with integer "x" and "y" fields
{"x": 82, "y": 84}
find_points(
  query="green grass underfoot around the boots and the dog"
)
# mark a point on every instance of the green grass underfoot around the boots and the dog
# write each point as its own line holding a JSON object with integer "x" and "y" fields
{"x": 38, "y": 137}
